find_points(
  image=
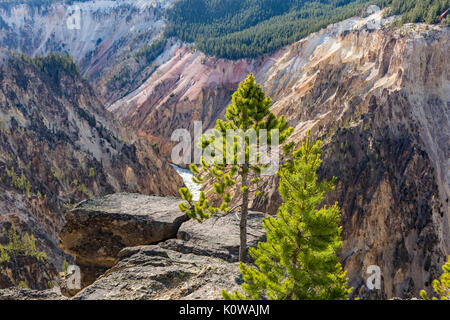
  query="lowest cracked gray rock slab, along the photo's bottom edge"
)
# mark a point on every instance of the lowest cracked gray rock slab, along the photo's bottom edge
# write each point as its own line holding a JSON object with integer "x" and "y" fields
{"x": 152, "y": 272}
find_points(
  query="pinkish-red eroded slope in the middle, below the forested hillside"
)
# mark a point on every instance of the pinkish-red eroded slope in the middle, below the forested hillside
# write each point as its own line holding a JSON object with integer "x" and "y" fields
{"x": 186, "y": 87}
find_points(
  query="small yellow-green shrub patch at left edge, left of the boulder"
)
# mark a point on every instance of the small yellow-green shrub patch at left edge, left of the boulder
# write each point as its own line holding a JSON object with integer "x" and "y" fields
{"x": 18, "y": 245}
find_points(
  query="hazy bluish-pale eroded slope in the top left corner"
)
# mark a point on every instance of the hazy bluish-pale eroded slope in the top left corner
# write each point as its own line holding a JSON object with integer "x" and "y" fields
{"x": 102, "y": 37}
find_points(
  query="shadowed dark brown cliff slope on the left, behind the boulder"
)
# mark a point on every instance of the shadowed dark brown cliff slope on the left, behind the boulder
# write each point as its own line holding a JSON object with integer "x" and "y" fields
{"x": 58, "y": 146}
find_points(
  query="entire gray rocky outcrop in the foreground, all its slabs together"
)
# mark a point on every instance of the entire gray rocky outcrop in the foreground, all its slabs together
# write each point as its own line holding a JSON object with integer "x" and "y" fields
{"x": 188, "y": 260}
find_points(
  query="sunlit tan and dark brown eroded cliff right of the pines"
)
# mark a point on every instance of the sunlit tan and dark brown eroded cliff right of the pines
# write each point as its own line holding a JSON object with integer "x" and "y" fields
{"x": 380, "y": 101}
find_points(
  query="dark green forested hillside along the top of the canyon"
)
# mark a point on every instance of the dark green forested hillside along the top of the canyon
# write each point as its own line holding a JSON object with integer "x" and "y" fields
{"x": 236, "y": 29}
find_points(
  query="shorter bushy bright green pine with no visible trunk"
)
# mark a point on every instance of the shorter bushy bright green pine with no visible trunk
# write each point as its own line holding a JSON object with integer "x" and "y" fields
{"x": 298, "y": 261}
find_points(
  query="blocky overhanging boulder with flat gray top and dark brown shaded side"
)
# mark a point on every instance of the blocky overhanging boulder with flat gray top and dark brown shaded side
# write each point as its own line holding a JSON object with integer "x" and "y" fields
{"x": 97, "y": 229}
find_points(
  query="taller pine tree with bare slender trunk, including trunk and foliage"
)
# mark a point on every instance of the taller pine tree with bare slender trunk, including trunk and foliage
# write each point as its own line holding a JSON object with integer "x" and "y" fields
{"x": 249, "y": 110}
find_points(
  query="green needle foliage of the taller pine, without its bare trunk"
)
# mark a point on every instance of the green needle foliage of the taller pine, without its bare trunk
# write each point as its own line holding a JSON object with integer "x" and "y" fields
{"x": 249, "y": 110}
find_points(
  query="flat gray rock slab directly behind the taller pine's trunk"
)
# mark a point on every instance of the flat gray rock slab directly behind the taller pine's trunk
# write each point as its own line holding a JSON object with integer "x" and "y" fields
{"x": 217, "y": 237}
